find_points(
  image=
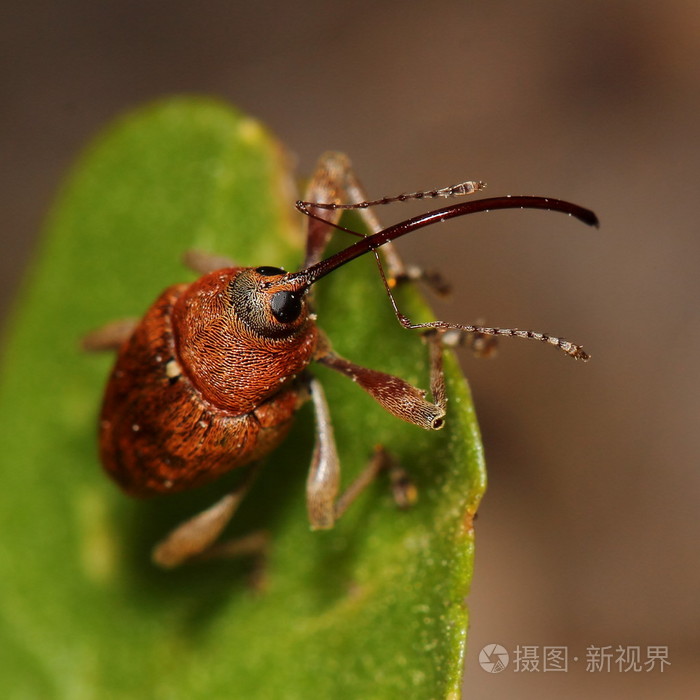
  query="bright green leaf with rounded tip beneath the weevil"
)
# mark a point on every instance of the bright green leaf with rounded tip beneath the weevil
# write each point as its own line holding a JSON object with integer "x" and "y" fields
{"x": 371, "y": 609}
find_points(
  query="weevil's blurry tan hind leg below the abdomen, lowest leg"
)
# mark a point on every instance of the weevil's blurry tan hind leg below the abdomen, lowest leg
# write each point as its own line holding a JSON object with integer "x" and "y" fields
{"x": 195, "y": 537}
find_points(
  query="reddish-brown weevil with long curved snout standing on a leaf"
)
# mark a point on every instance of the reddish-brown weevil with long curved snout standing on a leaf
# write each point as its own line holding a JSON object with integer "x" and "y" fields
{"x": 211, "y": 377}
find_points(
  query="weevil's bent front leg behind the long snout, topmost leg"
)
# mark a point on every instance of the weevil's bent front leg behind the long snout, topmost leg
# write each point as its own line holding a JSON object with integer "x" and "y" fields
{"x": 334, "y": 181}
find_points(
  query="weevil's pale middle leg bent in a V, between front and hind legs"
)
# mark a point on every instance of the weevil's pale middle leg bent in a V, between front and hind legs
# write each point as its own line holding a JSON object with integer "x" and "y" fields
{"x": 322, "y": 486}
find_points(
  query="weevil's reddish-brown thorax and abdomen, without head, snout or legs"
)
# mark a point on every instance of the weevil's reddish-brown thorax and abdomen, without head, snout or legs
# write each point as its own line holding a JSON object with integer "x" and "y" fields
{"x": 196, "y": 391}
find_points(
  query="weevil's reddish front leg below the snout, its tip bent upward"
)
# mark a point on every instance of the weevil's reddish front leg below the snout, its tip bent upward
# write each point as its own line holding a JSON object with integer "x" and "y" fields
{"x": 393, "y": 393}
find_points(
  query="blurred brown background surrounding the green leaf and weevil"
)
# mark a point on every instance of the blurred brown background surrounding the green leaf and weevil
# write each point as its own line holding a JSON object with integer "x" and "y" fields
{"x": 588, "y": 533}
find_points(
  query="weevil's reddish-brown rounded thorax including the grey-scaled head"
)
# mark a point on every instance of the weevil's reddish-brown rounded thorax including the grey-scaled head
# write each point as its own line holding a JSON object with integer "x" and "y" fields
{"x": 231, "y": 345}
